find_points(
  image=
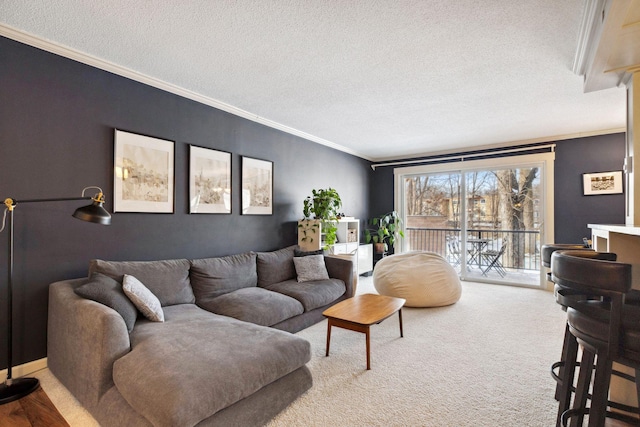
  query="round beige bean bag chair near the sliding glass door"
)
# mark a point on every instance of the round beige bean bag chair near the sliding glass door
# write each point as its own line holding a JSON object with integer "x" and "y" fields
{"x": 424, "y": 279}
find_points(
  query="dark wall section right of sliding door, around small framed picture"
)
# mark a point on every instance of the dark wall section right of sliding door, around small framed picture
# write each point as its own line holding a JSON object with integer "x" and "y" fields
{"x": 573, "y": 210}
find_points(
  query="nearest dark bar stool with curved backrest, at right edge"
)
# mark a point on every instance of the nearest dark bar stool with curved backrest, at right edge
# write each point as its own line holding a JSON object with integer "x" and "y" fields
{"x": 607, "y": 329}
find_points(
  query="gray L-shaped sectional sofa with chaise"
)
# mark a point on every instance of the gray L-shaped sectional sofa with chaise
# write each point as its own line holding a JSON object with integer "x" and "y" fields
{"x": 225, "y": 354}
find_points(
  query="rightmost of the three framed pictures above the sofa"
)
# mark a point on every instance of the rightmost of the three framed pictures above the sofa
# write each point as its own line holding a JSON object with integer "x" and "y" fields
{"x": 257, "y": 186}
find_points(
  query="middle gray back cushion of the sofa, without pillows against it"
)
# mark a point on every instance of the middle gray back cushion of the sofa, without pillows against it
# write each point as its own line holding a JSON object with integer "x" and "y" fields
{"x": 212, "y": 277}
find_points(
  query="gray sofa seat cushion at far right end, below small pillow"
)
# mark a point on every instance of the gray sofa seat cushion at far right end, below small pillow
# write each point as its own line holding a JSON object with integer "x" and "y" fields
{"x": 312, "y": 294}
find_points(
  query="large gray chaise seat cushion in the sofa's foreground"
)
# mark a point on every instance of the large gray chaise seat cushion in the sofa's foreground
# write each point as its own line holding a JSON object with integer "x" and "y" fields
{"x": 196, "y": 363}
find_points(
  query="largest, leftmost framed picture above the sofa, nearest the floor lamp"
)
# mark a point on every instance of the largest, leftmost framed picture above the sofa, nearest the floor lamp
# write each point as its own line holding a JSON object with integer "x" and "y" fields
{"x": 143, "y": 174}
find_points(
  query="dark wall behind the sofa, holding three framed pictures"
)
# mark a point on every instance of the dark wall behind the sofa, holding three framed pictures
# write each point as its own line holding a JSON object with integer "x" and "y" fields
{"x": 57, "y": 119}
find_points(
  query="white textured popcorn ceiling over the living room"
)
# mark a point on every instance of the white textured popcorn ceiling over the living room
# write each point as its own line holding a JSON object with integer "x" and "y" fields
{"x": 381, "y": 79}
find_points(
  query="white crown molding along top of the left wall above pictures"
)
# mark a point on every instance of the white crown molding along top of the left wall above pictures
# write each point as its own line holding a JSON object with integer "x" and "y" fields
{"x": 64, "y": 51}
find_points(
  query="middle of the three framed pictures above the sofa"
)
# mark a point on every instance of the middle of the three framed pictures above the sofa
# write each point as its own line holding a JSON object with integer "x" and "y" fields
{"x": 209, "y": 181}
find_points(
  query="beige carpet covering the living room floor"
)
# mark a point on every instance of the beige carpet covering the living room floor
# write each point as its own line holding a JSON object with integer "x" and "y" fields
{"x": 481, "y": 362}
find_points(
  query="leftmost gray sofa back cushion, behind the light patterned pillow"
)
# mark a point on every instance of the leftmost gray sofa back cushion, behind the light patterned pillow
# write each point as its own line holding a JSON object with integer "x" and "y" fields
{"x": 168, "y": 280}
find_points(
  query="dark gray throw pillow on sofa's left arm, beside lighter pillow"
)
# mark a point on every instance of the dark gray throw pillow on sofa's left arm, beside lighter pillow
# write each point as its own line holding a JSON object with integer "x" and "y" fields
{"x": 108, "y": 291}
